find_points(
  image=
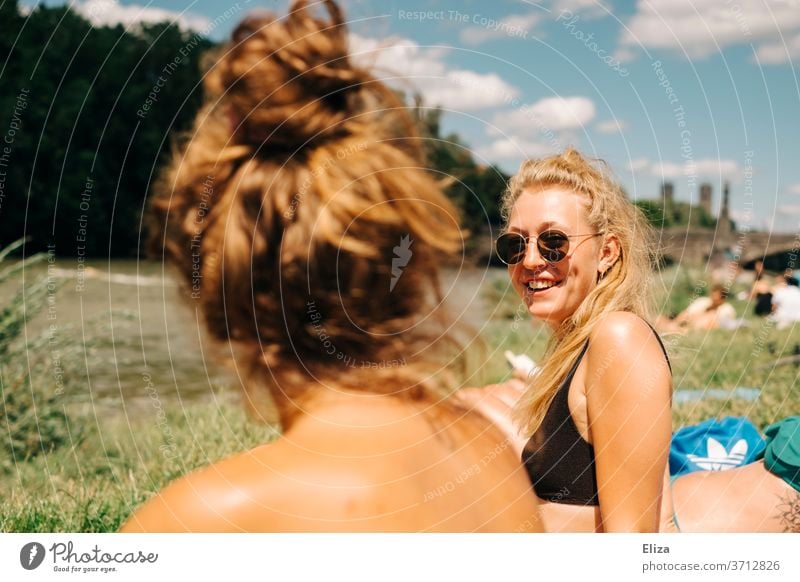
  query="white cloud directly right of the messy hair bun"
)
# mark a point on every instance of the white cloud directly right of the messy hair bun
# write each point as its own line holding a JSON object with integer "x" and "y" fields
{"x": 402, "y": 62}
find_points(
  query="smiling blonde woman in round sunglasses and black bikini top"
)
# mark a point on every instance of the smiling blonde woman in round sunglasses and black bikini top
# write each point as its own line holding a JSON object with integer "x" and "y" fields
{"x": 596, "y": 415}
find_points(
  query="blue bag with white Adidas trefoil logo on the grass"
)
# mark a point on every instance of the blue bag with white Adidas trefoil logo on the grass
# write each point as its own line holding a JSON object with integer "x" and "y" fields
{"x": 714, "y": 445}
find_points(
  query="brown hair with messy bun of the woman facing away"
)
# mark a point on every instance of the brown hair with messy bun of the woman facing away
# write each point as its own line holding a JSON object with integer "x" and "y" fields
{"x": 287, "y": 208}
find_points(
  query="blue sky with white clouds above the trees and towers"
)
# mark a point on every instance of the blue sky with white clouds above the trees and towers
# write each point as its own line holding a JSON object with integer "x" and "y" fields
{"x": 688, "y": 91}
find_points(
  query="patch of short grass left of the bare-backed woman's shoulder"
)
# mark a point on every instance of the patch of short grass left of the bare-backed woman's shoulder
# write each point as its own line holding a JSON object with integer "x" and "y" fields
{"x": 95, "y": 484}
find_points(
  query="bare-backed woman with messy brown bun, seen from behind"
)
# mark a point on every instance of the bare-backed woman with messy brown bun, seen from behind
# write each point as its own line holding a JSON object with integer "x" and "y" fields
{"x": 282, "y": 214}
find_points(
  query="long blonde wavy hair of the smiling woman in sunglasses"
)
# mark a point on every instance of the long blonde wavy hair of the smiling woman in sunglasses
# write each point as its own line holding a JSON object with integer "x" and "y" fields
{"x": 623, "y": 287}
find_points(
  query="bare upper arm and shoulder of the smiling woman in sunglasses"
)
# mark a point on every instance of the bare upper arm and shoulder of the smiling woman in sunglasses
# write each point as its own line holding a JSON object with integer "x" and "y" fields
{"x": 628, "y": 395}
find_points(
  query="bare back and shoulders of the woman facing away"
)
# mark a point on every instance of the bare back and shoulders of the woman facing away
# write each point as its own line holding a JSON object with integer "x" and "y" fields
{"x": 358, "y": 463}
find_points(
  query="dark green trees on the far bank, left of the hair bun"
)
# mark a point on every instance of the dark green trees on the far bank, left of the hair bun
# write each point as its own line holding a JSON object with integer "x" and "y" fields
{"x": 85, "y": 153}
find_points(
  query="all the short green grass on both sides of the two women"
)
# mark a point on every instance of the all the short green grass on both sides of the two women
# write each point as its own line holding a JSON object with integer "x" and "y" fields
{"x": 94, "y": 483}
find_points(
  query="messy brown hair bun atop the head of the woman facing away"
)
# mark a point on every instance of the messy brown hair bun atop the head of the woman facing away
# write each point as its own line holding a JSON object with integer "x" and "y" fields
{"x": 289, "y": 81}
